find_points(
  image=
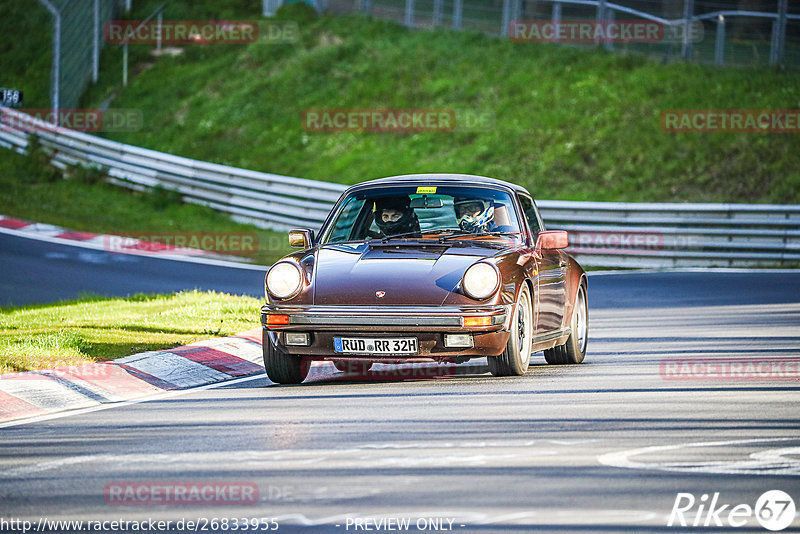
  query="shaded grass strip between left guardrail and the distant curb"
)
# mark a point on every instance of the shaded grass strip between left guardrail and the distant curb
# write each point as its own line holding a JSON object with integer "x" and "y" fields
{"x": 34, "y": 191}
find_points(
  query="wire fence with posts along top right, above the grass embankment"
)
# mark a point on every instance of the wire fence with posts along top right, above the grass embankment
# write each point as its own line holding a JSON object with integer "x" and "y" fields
{"x": 722, "y": 32}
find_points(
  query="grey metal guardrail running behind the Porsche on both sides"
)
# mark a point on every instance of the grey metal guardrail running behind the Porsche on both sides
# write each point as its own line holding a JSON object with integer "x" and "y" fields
{"x": 601, "y": 233}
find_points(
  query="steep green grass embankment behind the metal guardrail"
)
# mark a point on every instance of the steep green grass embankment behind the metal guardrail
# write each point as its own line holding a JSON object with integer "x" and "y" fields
{"x": 569, "y": 123}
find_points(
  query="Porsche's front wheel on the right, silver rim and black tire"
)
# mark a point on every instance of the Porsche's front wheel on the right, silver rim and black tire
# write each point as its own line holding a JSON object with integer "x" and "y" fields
{"x": 517, "y": 356}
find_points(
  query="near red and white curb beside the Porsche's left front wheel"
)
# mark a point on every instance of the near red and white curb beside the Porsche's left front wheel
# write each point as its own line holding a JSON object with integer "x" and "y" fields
{"x": 47, "y": 391}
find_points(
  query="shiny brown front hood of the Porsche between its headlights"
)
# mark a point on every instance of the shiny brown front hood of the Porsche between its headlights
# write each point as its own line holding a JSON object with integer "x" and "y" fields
{"x": 405, "y": 274}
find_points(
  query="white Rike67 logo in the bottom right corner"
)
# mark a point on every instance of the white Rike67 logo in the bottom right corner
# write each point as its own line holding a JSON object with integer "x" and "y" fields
{"x": 774, "y": 510}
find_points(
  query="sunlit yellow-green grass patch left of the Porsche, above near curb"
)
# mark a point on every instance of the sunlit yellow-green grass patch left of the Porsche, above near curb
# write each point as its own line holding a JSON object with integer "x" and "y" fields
{"x": 97, "y": 329}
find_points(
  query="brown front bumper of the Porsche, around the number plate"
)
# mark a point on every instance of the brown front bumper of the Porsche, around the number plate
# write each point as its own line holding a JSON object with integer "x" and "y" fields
{"x": 427, "y": 324}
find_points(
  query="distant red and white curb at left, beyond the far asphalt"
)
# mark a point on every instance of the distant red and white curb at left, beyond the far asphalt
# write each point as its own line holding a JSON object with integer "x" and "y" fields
{"x": 107, "y": 242}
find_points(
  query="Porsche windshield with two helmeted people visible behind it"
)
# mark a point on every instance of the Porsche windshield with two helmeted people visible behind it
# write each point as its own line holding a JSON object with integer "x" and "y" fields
{"x": 422, "y": 212}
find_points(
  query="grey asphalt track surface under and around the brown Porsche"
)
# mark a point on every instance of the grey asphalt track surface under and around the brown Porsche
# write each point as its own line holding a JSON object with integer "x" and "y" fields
{"x": 605, "y": 446}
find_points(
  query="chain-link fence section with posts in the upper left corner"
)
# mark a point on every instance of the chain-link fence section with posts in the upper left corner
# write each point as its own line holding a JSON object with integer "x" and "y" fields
{"x": 77, "y": 30}
